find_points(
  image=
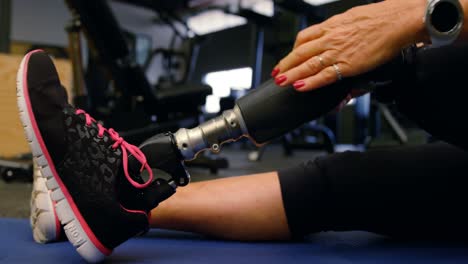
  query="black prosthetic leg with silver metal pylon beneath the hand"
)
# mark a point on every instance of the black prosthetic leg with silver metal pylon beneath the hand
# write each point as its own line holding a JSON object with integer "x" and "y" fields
{"x": 270, "y": 111}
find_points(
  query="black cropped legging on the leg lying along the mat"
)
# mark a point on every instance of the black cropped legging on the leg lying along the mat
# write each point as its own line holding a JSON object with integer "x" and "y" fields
{"x": 415, "y": 191}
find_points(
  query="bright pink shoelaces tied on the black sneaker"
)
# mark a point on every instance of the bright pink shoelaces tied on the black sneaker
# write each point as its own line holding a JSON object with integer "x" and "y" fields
{"x": 125, "y": 146}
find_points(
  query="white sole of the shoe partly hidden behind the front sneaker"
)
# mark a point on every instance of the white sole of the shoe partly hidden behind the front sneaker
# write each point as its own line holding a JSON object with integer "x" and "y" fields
{"x": 44, "y": 221}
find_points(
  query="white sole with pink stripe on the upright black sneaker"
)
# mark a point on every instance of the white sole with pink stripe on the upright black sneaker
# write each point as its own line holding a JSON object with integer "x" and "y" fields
{"x": 69, "y": 218}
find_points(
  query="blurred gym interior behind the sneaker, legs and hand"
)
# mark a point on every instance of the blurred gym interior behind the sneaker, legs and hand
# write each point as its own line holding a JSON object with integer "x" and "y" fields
{"x": 145, "y": 67}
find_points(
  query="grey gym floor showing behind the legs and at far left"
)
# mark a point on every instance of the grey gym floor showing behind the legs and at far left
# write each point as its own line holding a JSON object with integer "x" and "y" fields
{"x": 15, "y": 196}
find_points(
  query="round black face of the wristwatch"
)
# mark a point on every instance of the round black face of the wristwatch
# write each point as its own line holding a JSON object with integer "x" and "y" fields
{"x": 445, "y": 16}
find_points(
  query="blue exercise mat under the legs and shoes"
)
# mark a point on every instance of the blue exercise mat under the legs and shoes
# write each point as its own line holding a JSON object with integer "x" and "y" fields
{"x": 161, "y": 246}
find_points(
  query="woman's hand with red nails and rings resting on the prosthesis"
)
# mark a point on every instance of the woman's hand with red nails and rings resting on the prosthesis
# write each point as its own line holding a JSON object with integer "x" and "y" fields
{"x": 351, "y": 43}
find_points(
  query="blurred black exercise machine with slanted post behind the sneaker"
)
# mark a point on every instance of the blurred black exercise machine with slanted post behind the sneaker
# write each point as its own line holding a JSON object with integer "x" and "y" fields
{"x": 133, "y": 92}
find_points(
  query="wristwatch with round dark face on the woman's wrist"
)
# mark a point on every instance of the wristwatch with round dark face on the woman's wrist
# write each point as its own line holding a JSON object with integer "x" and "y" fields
{"x": 444, "y": 21}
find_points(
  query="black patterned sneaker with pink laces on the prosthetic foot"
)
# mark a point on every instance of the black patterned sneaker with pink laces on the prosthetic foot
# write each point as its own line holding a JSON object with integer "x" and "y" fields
{"x": 84, "y": 163}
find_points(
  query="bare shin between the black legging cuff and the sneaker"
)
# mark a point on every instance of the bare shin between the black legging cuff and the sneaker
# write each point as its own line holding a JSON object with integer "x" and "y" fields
{"x": 239, "y": 208}
